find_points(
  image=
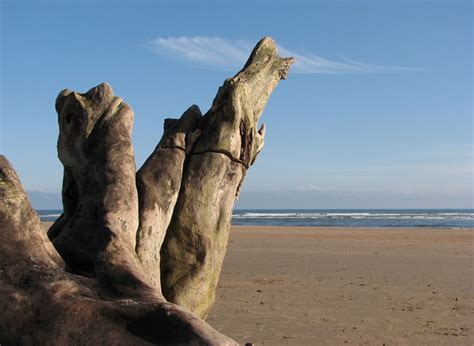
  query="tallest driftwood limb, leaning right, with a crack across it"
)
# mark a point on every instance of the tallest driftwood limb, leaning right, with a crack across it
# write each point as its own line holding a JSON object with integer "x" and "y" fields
{"x": 195, "y": 243}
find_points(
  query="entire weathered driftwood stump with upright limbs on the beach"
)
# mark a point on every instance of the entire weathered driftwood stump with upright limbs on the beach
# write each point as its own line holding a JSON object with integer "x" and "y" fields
{"x": 135, "y": 257}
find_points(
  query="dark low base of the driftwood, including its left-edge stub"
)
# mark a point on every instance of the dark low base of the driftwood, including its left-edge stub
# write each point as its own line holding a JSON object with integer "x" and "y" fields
{"x": 41, "y": 304}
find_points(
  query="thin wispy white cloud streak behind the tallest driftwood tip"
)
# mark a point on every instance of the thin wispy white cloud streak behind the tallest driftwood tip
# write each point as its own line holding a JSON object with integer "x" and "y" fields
{"x": 217, "y": 52}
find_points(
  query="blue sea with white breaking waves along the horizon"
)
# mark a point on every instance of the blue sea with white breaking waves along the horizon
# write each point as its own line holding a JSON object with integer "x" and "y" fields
{"x": 453, "y": 218}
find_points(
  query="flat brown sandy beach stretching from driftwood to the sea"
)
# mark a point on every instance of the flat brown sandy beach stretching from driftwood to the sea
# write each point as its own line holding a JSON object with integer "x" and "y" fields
{"x": 335, "y": 286}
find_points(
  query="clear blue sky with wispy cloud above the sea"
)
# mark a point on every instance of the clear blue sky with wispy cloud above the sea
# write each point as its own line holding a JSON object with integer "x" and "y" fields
{"x": 376, "y": 113}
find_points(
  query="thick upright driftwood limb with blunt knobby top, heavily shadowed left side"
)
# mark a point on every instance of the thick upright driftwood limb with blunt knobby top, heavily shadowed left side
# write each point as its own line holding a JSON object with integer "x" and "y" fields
{"x": 98, "y": 229}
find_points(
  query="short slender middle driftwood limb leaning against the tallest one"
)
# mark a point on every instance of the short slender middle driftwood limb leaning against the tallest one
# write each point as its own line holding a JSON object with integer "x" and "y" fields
{"x": 158, "y": 184}
